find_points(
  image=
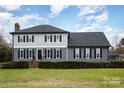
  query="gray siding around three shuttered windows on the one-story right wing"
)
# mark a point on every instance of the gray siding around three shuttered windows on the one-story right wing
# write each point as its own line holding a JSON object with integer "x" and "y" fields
{"x": 104, "y": 55}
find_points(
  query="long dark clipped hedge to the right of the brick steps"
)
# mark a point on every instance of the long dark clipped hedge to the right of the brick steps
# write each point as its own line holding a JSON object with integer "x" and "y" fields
{"x": 78, "y": 65}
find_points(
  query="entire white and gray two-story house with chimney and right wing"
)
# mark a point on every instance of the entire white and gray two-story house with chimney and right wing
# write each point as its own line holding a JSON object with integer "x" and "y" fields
{"x": 49, "y": 43}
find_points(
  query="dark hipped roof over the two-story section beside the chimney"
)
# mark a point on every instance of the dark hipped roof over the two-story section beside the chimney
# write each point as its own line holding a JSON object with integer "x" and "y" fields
{"x": 40, "y": 29}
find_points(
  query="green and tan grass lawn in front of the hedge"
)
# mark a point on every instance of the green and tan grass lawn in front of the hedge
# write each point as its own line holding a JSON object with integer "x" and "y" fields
{"x": 61, "y": 78}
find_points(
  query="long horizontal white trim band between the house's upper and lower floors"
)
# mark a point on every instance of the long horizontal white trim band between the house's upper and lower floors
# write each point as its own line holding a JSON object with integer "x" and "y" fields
{"x": 40, "y": 46}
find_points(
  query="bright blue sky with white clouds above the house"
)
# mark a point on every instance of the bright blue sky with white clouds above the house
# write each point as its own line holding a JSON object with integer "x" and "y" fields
{"x": 79, "y": 18}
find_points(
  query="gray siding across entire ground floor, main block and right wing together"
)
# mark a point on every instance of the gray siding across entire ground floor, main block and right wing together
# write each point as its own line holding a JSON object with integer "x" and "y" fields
{"x": 64, "y": 55}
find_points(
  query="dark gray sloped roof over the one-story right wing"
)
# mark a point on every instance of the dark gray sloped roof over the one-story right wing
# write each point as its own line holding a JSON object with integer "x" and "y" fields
{"x": 89, "y": 39}
